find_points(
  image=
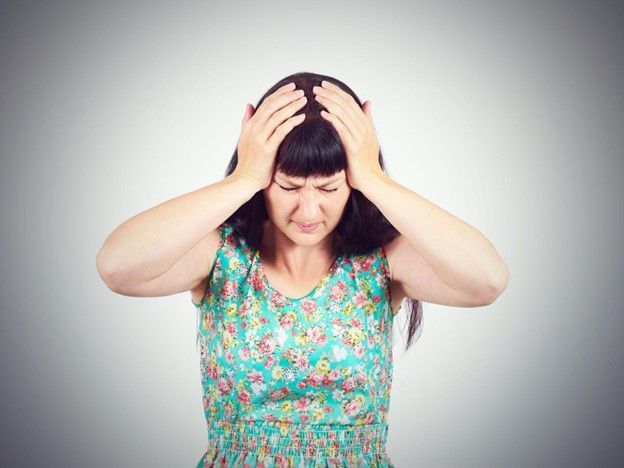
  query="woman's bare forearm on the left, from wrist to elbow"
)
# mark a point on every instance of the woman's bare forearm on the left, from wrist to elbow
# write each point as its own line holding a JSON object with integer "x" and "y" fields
{"x": 151, "y": 242}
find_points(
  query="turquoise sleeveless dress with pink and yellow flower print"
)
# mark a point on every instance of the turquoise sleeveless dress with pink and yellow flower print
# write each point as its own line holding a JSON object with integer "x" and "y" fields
{"x": 295, "y": 382}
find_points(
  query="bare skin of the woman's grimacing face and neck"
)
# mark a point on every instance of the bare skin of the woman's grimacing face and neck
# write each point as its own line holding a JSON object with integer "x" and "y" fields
{"x": 296, "y": 257}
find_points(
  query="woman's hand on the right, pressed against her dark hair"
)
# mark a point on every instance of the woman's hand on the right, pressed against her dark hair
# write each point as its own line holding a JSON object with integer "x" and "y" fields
{"x": 355, "y": 127}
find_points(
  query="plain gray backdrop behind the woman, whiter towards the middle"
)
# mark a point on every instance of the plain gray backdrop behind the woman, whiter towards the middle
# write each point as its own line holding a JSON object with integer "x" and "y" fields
{"x": 507, "y": 114}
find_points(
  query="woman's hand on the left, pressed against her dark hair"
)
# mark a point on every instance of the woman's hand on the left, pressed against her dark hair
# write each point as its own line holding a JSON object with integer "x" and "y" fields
{"x": 263, "y": 131}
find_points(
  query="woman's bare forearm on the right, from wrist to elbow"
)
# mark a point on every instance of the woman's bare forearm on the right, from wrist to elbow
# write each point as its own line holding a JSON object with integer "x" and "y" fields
{"x": 460, "y": 255}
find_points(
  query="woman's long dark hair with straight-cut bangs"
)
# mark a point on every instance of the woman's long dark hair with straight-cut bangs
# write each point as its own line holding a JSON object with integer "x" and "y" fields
{"x": 313, "y": 148}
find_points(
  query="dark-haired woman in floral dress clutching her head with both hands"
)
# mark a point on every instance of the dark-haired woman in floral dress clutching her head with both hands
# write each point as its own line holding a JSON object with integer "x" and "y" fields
{"x": 297, "y": 262}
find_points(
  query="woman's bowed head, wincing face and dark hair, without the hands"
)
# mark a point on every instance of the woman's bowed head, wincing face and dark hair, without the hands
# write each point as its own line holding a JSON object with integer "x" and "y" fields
{"x": 310, "y": 155}
